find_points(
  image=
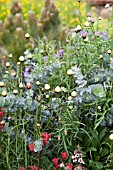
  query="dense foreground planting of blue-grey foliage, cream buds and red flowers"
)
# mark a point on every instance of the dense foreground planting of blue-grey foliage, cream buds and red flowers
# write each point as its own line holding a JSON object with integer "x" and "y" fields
{"x": 56, "y": 101}
